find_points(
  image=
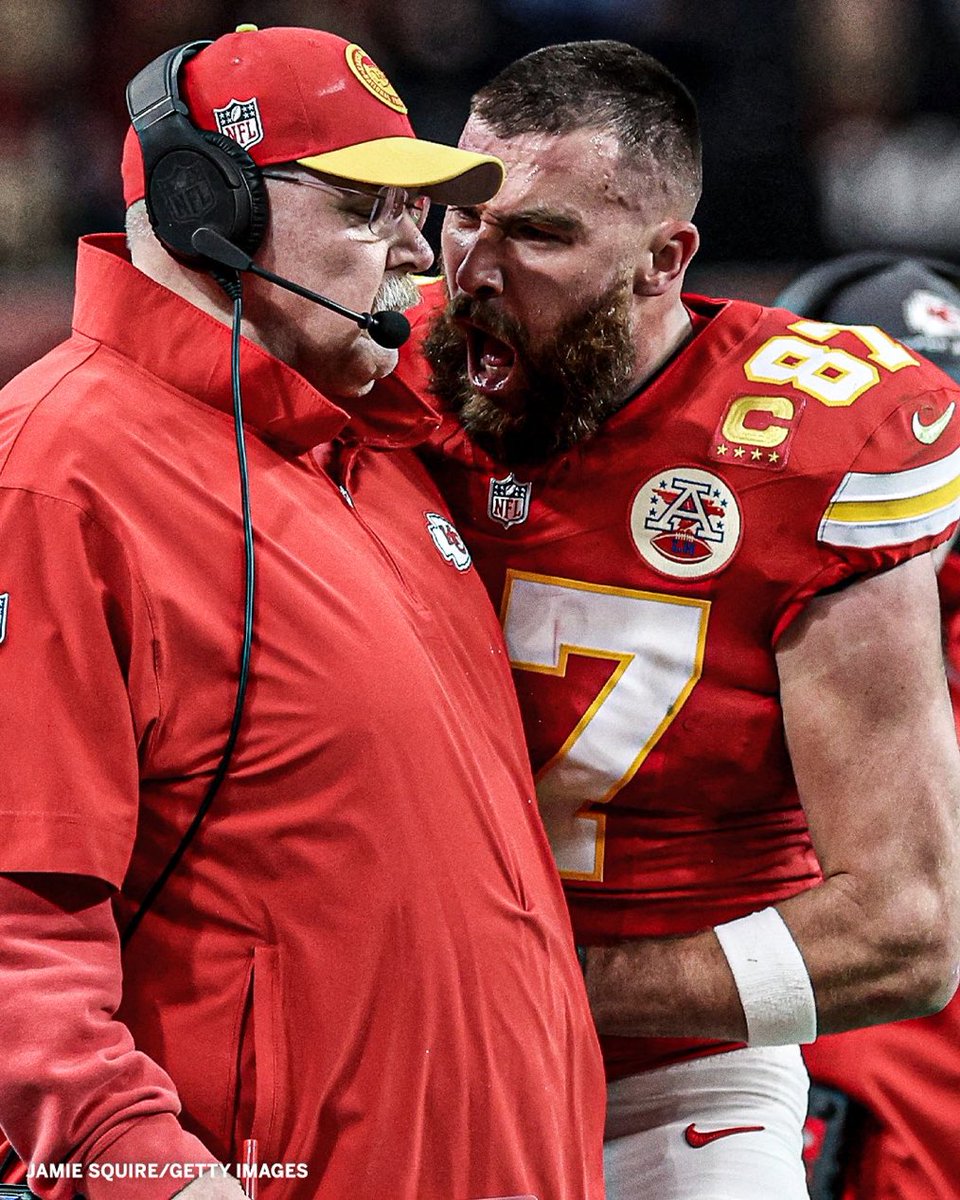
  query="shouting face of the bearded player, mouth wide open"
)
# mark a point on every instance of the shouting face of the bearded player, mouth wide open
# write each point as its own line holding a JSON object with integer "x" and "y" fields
{"x": 538, "y": 344}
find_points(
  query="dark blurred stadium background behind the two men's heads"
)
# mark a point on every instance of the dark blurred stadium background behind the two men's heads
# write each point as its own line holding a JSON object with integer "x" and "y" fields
{"x": 830, "y": 125}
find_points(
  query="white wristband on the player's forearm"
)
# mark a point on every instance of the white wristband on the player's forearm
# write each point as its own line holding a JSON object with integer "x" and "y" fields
{"x": 771, "y": 976}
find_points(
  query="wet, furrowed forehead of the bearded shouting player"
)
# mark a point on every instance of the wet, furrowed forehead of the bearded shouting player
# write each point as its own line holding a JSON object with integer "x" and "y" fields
{"x": 567, "y": 172}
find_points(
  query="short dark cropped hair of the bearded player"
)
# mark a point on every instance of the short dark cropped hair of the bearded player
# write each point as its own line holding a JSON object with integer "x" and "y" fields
{"x": 604, "y": 86}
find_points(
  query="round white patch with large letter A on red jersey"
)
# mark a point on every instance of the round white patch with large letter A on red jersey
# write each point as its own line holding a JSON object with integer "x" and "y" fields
{"x": 686, "y": 523}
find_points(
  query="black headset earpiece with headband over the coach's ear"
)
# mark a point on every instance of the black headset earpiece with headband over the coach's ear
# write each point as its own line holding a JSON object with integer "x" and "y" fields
{"x": 195, "y": 178}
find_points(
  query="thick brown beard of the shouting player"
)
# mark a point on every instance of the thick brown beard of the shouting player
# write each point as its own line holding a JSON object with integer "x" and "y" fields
{"x": 574, "y": 382}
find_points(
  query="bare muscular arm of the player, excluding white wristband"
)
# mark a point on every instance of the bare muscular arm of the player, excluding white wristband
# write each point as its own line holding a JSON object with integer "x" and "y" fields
{"x": 874, "y": 751}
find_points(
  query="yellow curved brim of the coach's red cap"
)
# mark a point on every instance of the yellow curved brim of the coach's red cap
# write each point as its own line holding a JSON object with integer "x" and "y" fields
{"x": 446, "y": 175}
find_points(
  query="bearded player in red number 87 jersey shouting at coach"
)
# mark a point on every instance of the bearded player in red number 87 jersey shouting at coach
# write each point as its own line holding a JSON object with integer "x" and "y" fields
{"x": 707, "y": 527}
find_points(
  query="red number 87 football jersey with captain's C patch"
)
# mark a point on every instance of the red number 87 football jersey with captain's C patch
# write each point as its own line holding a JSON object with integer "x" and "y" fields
{"x": 645, "y": 577}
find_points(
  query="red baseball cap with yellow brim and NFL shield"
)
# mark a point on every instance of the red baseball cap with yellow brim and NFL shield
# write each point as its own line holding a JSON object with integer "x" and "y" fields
{"x": 302, "y": 95}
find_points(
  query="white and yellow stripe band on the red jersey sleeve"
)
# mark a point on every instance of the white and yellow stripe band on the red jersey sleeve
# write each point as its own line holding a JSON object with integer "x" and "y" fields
{"x": 893, "y": 509}
